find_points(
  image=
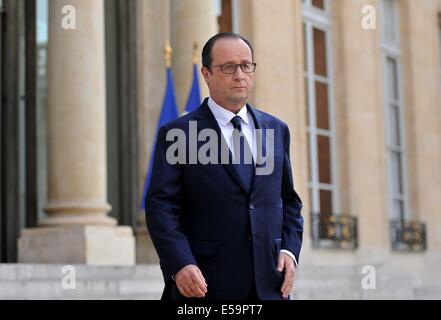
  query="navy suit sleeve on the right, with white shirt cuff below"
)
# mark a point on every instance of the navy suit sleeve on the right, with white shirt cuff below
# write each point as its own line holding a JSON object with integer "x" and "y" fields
{"x": 292, "y": 205}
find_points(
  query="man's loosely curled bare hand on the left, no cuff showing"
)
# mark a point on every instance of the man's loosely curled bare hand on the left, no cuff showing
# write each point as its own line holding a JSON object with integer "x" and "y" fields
{"x": 190, "y": 282}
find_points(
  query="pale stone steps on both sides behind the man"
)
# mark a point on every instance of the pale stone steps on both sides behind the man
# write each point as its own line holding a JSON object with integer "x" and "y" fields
{"x": 21, "y": 281}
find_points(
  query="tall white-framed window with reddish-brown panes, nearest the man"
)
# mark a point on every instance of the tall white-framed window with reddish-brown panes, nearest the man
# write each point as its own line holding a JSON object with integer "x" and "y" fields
{"x": 320, "y": 125}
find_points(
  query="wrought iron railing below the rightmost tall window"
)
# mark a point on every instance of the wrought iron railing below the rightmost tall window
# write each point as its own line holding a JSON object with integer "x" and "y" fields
{"x": 407, "y": 235}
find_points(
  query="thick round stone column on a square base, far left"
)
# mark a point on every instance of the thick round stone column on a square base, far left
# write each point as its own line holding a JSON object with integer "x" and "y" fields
{"x": 77, "y": 229}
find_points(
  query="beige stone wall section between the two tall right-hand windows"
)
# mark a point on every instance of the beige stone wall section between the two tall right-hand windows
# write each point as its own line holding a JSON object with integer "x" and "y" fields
{"x": 359, "y": 118}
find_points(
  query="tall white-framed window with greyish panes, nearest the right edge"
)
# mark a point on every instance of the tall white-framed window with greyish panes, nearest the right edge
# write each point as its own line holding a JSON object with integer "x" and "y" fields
{"x": 394, "y": 110}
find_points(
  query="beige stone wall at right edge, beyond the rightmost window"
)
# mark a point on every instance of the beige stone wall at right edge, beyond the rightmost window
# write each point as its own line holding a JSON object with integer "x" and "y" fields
{"x": 421, "y": 84}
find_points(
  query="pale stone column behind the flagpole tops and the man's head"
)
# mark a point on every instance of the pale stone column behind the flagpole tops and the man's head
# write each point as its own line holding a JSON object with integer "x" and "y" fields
{"x": 192, "y": 21}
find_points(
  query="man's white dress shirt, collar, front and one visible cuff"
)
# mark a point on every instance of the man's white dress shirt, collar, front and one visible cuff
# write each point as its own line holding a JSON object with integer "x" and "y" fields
{"x": 223, "y": 118}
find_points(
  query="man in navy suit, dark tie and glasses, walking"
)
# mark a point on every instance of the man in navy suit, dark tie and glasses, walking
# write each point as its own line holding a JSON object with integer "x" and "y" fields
{"x": 222, "y": 230}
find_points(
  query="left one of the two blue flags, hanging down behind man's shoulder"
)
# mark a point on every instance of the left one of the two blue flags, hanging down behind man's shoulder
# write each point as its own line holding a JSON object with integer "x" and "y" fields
{"x": 169, "y": 113}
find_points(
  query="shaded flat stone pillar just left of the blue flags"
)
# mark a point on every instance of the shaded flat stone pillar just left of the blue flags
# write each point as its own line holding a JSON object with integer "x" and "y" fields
{"x": 153, "y": 34}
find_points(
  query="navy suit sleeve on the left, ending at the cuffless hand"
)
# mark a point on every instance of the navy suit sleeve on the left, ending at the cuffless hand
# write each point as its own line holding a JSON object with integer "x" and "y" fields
{"x": 163, "y": 208}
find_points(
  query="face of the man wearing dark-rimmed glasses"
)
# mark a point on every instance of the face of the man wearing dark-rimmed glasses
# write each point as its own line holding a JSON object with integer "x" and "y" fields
{"x": 229, "y": 90}
